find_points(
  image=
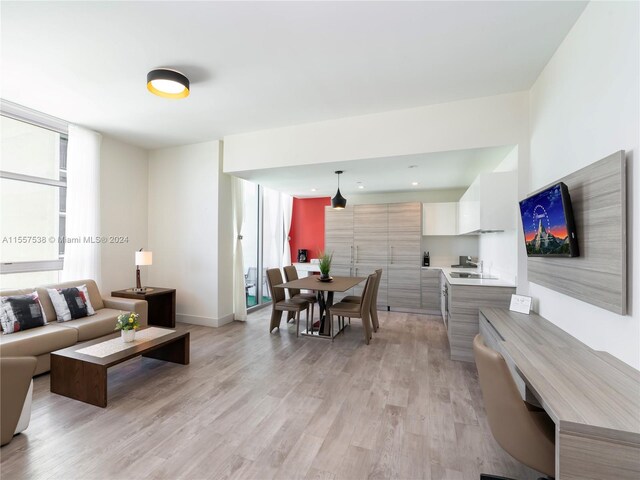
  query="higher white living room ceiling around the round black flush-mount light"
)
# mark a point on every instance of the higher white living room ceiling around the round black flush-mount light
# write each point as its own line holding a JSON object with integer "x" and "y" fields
{"x": 266, "y": 64}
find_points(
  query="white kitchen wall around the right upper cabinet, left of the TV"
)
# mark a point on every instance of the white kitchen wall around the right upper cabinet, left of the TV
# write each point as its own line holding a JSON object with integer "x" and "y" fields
{"x": 499, "y": 250}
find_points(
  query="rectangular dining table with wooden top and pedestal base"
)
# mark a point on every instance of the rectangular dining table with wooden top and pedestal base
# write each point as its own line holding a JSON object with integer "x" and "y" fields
{"x": 325, "y": 291}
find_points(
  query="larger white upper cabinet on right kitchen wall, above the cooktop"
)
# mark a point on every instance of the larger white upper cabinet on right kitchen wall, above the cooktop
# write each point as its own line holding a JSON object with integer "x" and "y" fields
{"x": 490, "y": 204}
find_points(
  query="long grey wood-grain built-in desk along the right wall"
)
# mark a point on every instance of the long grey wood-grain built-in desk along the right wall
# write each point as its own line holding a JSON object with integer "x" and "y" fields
{"x": 593, "y": 398}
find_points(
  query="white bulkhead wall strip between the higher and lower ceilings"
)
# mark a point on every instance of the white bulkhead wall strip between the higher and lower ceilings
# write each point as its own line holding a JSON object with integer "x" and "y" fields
{"x": 480, "y": 122}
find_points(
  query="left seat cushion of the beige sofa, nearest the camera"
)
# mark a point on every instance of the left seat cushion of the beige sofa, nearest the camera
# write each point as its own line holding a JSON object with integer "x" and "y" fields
{"x": 37, "y": 341}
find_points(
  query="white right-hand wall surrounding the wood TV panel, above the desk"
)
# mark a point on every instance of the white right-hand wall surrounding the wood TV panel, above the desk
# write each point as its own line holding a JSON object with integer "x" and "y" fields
{"x": 585, "y": 106}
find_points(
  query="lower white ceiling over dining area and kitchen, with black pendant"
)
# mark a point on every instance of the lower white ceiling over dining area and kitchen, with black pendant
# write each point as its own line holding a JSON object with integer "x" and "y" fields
{"x": 432, "y": 171}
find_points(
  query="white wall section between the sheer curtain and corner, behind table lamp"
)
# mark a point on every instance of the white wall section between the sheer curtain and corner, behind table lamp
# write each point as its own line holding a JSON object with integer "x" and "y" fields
{"x": 123, "y": 203}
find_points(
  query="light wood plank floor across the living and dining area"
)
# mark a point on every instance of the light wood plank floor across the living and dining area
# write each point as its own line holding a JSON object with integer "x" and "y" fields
{"x": 255, "y": 405}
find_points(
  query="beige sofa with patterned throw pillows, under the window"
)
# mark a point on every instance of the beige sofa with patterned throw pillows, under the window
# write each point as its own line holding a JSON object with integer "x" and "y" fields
{"x": 39, "y": 342}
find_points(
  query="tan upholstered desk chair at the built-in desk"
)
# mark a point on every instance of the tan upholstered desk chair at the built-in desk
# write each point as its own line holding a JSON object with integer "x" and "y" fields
{"x": 527, "y": 435}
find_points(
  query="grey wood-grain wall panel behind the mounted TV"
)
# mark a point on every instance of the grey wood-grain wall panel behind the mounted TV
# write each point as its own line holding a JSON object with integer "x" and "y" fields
{"x": 599, "y": 275}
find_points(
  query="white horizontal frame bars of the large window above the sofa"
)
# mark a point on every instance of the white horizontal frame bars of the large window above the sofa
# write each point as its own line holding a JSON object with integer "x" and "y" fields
{"x": 42, "y": 120}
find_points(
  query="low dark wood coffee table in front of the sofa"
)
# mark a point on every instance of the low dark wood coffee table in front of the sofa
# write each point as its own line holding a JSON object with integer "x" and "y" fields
{"x": 84, "y": 377}
